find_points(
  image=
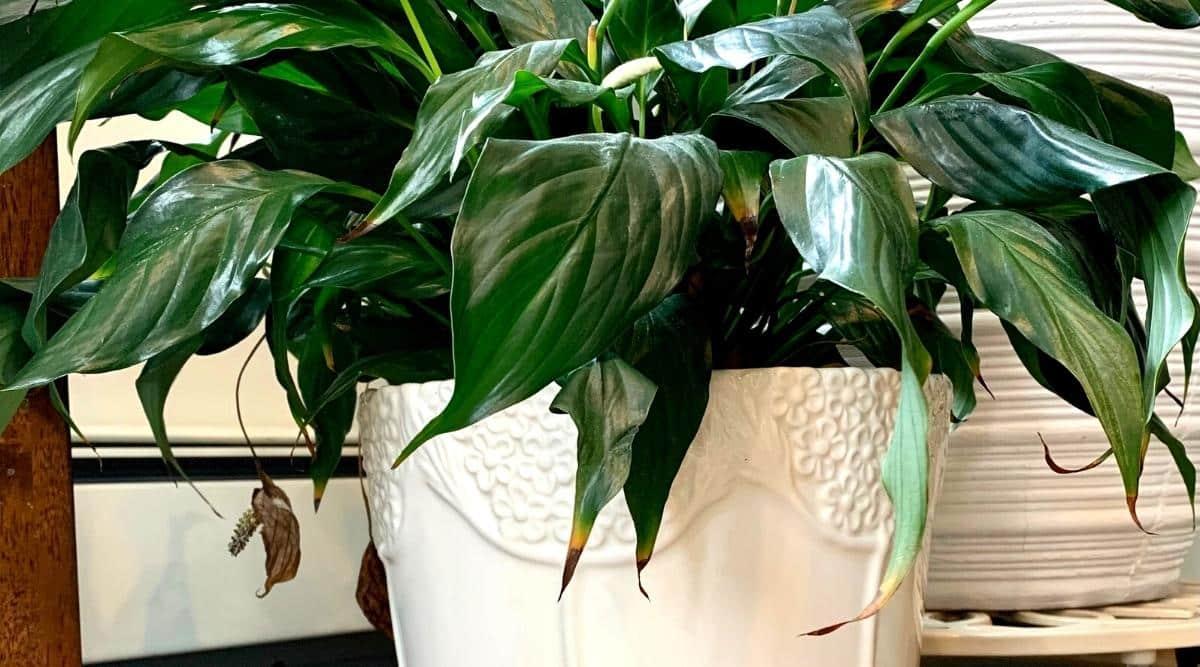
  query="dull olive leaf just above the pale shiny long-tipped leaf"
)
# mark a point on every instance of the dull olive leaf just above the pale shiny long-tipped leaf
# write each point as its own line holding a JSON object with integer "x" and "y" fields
{"x": 821, "y": 125}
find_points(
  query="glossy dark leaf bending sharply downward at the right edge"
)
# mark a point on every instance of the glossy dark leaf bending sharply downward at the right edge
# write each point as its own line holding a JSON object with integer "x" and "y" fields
{"x": 1009, "y": 157}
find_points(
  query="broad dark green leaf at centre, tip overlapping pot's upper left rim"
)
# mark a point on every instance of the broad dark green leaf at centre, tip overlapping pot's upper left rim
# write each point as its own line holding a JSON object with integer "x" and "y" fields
{"x": 562, "y": 247}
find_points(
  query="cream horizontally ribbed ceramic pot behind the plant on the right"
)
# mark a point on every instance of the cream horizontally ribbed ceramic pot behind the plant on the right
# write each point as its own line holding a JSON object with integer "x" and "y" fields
{"x": 1010, "y": 533}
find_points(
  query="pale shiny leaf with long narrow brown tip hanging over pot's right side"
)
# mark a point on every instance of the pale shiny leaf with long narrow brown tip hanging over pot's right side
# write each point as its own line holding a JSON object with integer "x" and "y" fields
{"x": 855, "y": 223}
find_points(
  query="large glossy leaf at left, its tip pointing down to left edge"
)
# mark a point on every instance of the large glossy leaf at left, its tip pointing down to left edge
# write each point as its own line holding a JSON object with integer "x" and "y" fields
{"x": 187, "y": 256}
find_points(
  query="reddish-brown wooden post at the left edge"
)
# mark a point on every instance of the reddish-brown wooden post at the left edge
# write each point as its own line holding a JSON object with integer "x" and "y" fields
{"x": 39, "y": 590}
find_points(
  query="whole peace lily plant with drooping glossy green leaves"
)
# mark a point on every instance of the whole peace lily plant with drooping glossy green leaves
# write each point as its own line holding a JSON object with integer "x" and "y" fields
{"x": 620, "y": 197}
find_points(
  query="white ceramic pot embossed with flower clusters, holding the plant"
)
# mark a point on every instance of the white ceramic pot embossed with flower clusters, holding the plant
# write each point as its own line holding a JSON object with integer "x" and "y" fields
{"x": 777, "y": 525}
